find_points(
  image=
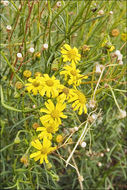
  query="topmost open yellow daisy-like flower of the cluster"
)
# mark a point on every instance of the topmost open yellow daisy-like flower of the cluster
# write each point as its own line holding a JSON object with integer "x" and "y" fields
{"x": 70, "y": 54}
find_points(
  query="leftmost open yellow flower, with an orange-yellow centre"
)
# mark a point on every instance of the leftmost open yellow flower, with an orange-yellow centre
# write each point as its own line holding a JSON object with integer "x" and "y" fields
{"x": 35, "y": 85}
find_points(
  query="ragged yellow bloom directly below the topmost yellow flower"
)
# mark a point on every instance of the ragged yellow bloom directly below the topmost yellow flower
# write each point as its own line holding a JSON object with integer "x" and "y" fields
{"x": 72, "y": 75}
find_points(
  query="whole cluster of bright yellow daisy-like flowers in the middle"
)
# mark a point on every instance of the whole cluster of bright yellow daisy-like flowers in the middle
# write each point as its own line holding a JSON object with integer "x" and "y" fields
{"x": 56, "y": 96}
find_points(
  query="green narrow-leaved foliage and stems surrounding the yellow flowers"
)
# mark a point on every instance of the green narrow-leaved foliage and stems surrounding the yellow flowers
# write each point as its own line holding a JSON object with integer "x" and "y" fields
{"x": 102, "y": 163}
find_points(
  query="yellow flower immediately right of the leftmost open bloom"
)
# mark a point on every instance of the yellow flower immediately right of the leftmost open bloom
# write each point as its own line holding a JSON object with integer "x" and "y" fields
{"x": 50, "y": 86}
